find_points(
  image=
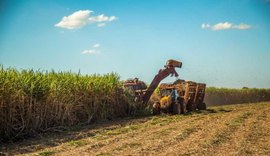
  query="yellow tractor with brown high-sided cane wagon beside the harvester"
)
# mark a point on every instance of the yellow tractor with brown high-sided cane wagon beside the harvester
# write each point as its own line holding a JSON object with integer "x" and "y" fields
{"x": 180, "y": 97}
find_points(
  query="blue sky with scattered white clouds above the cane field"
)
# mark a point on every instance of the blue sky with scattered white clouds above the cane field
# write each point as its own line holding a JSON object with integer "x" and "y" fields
{"x": 222, "y": 43}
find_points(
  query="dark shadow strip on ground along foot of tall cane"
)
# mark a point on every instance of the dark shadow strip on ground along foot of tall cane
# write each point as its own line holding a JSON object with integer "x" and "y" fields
{"x": 57, "y": 137}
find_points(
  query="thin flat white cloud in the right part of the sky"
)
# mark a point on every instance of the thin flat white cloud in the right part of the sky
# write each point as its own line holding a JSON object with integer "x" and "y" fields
{"x": 225, "y": 25}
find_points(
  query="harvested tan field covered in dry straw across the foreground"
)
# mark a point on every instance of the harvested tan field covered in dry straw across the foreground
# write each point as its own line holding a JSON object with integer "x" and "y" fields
{"x": 225, "y": 130}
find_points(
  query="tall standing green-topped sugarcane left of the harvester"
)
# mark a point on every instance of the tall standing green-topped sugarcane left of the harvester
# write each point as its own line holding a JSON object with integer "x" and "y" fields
{"x": 36, "y": 101}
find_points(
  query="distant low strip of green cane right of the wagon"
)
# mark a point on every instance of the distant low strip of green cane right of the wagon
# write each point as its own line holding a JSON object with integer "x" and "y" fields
{"x": 233, "y": 96}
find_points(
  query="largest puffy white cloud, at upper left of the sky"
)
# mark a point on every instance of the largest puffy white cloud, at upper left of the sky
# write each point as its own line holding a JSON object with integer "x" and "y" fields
{"x": 81, "y": 18}
